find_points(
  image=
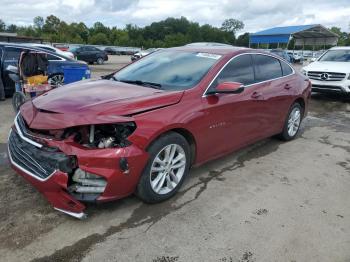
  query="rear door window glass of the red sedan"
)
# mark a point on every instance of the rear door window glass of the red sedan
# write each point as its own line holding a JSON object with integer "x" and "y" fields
{"x": 266, "y": 68}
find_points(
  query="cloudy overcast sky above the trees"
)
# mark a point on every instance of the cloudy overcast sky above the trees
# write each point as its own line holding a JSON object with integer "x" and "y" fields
{"x": 256, "y": 14}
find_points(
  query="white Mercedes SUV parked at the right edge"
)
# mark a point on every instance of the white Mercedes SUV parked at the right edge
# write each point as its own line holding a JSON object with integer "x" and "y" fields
{"x": 331, "y": 71}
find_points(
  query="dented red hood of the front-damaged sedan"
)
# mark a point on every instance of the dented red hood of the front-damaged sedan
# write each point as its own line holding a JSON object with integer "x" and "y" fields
{"x": 94, "y": 102}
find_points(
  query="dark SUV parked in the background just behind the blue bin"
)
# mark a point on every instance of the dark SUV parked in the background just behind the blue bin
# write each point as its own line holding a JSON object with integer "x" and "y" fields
{"x": 89, "y": 54}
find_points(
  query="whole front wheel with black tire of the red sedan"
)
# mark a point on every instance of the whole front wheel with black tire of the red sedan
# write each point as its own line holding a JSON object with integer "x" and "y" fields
{"x": 169, "y": 178}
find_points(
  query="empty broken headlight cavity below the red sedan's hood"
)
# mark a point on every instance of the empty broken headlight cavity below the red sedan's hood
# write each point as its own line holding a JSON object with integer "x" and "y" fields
{"x": 109, "y": 135}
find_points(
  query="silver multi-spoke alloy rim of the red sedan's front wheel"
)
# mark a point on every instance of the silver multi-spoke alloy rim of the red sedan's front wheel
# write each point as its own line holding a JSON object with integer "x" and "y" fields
{"x": 167, "y": 169}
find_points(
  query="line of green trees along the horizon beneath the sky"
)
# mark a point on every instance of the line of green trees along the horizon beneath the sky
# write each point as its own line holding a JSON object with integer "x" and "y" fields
{"x": 167, "y": 33}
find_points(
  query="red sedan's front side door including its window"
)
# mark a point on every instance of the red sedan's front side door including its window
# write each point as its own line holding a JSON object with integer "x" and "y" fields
{"x": 232, "y": 120}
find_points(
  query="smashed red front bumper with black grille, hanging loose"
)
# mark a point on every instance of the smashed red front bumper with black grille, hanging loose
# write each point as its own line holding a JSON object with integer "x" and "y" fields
{"x": 50, "y": 165}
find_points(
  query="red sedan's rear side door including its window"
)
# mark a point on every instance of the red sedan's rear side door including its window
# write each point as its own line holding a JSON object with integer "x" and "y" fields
{"x": 276, "y": 86}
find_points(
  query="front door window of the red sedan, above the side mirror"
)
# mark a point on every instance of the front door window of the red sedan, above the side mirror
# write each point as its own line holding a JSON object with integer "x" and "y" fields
{"x": 240, "y": 69}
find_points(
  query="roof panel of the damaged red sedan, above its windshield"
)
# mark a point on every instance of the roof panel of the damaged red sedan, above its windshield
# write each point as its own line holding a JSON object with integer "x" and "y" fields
{"x": 219, "y": 50}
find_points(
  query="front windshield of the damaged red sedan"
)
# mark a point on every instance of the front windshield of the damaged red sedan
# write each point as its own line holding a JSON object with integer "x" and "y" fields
{"x": 169, "y": 70}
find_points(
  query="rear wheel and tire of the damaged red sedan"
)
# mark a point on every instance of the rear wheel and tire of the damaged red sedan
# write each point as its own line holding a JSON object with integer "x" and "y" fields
{"x": 292, "y": 123}
